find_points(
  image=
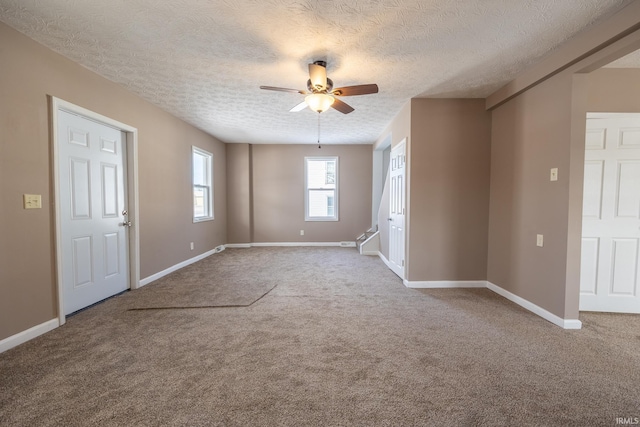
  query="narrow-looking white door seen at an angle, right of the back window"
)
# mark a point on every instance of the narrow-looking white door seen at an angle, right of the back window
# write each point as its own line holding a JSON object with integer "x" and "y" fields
{"x": 397, "y": 209}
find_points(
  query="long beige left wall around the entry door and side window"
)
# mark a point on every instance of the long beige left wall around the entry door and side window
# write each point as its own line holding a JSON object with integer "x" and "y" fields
{"x": 30, "y": 72}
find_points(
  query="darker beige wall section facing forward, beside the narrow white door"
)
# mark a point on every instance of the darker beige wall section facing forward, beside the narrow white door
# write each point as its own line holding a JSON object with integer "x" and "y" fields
{"x": 448, "y": 187}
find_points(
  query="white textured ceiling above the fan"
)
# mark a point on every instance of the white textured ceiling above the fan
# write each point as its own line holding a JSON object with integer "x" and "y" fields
{"x": 204, "y": 60}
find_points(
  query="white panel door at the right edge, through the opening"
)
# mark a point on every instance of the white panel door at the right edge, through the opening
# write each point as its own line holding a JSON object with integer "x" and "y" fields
{"x": 611, "y": 216}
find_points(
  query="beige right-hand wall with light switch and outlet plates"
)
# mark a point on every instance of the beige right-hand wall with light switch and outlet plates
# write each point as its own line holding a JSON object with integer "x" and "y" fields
{"x": 531, "y": 134}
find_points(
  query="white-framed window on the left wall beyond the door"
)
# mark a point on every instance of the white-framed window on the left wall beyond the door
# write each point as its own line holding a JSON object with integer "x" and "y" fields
{"x": 202, "y": 168}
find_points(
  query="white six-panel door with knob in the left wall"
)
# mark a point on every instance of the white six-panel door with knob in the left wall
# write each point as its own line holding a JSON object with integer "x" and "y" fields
{"x": 92, "y": 211}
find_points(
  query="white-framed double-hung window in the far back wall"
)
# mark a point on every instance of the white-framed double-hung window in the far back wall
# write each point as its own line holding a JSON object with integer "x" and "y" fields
{"x": 321, "y": 188}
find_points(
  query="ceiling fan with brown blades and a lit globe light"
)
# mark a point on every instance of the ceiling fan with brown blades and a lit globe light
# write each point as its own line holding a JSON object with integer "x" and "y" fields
{"x": 320, "y": 92}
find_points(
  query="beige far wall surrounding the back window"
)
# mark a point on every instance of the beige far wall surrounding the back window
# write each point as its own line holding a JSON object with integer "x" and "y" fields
{"x": 274, "y": 212}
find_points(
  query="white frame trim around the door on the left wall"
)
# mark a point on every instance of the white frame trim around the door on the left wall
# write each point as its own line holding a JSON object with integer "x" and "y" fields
{"x": 131, "y": 143}
